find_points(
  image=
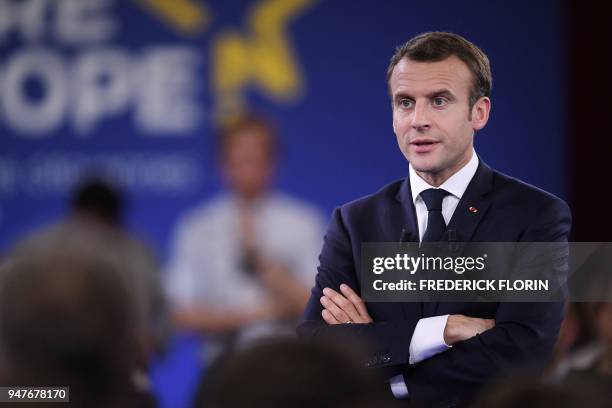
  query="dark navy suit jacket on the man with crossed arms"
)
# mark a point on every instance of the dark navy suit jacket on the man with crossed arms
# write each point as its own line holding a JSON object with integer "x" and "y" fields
{"x": 508, "y": 211}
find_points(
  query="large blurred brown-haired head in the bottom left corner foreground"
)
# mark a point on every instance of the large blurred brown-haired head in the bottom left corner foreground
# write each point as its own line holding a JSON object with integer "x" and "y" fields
{"x": 66, "y": 320}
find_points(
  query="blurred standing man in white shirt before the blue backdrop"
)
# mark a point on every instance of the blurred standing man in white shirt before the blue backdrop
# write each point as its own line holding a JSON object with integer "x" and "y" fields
{"x": 242, "y": 264}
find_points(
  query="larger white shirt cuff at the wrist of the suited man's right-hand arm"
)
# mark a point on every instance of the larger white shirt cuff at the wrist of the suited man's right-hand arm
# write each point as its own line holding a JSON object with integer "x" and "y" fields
{"x": 428, "y": 339}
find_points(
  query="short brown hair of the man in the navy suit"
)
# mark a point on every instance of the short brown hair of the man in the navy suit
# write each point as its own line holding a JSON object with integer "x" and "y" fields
{"x": 437, "y": 46}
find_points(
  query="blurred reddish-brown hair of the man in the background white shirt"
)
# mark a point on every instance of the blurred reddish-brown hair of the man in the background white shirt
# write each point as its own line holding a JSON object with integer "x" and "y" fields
{"x": 251, "y": 121}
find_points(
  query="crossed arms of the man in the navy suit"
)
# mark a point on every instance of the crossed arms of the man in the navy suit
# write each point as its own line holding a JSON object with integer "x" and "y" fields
{"x": 482, "y": 345}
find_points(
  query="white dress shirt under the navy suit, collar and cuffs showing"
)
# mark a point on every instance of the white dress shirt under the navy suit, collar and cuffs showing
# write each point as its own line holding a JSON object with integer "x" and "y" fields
{"x": 428, "y": 337}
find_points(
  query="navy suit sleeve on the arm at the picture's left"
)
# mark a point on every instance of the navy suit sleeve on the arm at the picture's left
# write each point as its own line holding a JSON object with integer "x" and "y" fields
{"x": 387, "y": 343}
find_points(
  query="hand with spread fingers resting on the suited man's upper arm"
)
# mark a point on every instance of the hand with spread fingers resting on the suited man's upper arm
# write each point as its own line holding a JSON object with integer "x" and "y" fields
{"x": 343, "y": 308}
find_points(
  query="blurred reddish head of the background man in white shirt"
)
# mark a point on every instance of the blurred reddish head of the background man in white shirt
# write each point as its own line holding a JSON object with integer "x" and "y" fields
{"x": 248, "y": 148}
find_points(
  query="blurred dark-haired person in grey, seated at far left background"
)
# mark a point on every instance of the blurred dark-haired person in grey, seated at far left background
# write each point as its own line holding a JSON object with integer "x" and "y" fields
{"x": 93, "y": 228}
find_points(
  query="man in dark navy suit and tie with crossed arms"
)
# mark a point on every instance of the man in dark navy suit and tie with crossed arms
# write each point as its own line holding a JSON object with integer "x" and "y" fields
{"x": 437, "y": 354}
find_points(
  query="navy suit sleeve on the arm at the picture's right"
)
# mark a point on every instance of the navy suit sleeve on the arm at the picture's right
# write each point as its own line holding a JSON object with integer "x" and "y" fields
{"x": 524, "y": 333}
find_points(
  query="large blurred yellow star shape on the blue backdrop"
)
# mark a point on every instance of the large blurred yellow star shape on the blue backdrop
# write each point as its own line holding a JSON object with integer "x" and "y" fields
{"x": 260, "y": 55}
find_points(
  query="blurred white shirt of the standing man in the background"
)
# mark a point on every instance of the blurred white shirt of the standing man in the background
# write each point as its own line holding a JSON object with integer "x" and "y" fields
{"x": 205, "y": 269}
